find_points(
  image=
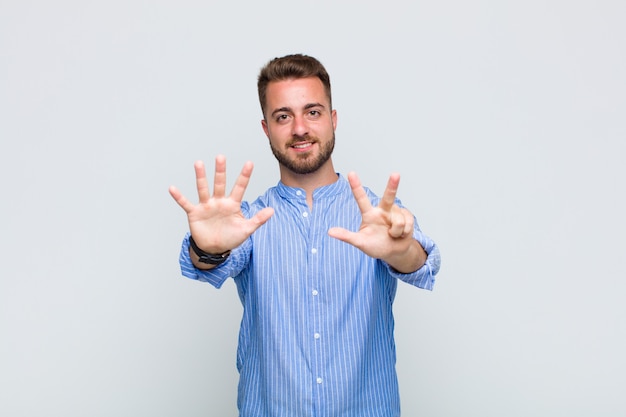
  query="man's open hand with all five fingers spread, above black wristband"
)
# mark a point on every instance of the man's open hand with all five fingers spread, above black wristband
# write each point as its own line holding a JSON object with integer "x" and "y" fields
{"x": 216, "y": 222}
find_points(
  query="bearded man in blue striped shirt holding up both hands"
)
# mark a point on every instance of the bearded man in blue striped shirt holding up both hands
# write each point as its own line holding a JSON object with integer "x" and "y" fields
{"x": 316, "y": 261}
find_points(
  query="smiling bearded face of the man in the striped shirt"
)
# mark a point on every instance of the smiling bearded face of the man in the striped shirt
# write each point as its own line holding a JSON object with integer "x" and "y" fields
{"x": 300, "y": 124}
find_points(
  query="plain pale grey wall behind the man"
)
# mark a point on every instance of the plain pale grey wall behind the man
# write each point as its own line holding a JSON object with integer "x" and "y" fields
{"x": 504, "y": 118}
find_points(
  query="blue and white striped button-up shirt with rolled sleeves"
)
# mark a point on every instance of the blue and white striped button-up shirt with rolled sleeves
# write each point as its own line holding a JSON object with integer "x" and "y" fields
{"x": 316, "y": 336}
